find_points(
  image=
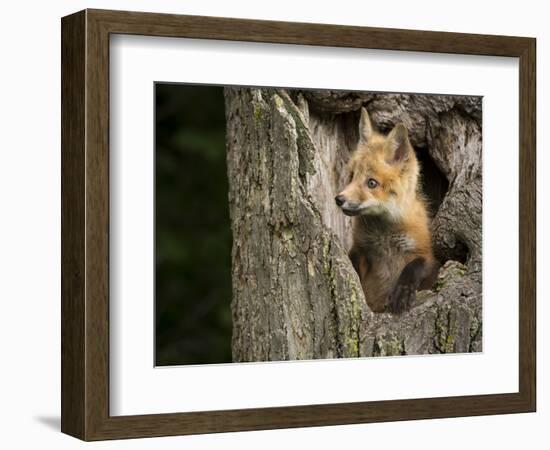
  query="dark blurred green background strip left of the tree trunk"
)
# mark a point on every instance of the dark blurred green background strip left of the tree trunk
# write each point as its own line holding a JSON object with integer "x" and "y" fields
{"x": 192, "y": 228}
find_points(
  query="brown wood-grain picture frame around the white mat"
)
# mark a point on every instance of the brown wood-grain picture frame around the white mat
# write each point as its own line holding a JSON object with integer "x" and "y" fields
{"x": 85, "y": 224}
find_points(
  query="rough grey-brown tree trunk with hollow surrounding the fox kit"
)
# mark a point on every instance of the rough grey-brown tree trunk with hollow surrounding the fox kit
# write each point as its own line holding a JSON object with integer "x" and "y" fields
{"x": 295, "y": 292}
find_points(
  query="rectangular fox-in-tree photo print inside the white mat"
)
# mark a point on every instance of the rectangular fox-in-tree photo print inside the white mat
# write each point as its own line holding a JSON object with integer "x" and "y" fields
{"x": 300, "y": 224}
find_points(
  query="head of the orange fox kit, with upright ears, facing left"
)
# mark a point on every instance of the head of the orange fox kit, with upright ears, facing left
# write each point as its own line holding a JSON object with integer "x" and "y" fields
{"x": 383, "y": 173}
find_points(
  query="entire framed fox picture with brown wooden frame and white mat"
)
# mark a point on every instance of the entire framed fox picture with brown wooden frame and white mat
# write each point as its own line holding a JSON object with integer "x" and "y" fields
{"x": 270, "y": 224}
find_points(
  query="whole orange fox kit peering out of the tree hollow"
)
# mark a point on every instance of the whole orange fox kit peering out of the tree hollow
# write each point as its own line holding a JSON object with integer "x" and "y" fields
{"x": 392, "y": 248}
